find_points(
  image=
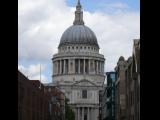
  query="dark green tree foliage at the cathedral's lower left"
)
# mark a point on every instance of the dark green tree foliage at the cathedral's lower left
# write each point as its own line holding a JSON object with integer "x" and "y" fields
{"x": 69, "y": 114}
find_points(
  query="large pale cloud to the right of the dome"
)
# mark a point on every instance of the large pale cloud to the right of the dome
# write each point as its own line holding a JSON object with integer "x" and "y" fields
{"x": 115, "y": 34}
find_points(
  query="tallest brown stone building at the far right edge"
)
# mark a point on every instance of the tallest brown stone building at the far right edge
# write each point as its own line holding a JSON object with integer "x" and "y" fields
{"x": 133, "y": 83}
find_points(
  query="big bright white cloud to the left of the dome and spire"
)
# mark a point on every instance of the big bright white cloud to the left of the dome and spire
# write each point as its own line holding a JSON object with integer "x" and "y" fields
{"x": 40, "y": 27}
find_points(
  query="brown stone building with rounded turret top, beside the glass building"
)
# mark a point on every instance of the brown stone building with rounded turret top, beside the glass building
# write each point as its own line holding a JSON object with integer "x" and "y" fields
{"x": 120, "y": 90}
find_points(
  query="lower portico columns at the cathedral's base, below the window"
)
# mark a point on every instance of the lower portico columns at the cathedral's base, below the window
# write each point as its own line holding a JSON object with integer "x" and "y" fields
{"x": 85, "y": 113}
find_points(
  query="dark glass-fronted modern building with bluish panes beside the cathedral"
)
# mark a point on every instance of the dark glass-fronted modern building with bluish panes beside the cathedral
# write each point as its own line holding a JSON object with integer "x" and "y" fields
{"x": 109, "y": 97}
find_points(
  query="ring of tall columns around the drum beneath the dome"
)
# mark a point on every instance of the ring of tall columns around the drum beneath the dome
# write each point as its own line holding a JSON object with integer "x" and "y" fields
{"x": 79, "y": 66}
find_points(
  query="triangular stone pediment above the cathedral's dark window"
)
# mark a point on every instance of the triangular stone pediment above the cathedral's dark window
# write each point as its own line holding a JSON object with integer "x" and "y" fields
{"x": 84, "y": 83}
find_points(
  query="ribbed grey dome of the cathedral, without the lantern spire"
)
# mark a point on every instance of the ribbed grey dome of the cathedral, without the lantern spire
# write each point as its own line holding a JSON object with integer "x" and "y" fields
{"x": 78, "y": 34}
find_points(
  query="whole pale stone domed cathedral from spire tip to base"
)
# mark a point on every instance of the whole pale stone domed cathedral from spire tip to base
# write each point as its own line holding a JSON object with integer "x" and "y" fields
{"x": 79, "y": 68}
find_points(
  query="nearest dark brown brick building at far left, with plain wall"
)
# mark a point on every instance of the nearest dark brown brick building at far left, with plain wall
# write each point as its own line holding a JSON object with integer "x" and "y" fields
{"x": 33, "y": 104}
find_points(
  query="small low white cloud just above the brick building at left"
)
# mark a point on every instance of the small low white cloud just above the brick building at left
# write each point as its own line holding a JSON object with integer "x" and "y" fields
{"x": 33, "y": 72}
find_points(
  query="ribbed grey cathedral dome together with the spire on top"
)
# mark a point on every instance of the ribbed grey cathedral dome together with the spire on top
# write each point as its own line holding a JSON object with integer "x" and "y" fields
{"x": 78, "y": 33}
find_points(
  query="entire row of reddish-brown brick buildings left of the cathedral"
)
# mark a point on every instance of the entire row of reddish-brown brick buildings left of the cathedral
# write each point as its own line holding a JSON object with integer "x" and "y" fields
{"x": 36, "y": 102}
